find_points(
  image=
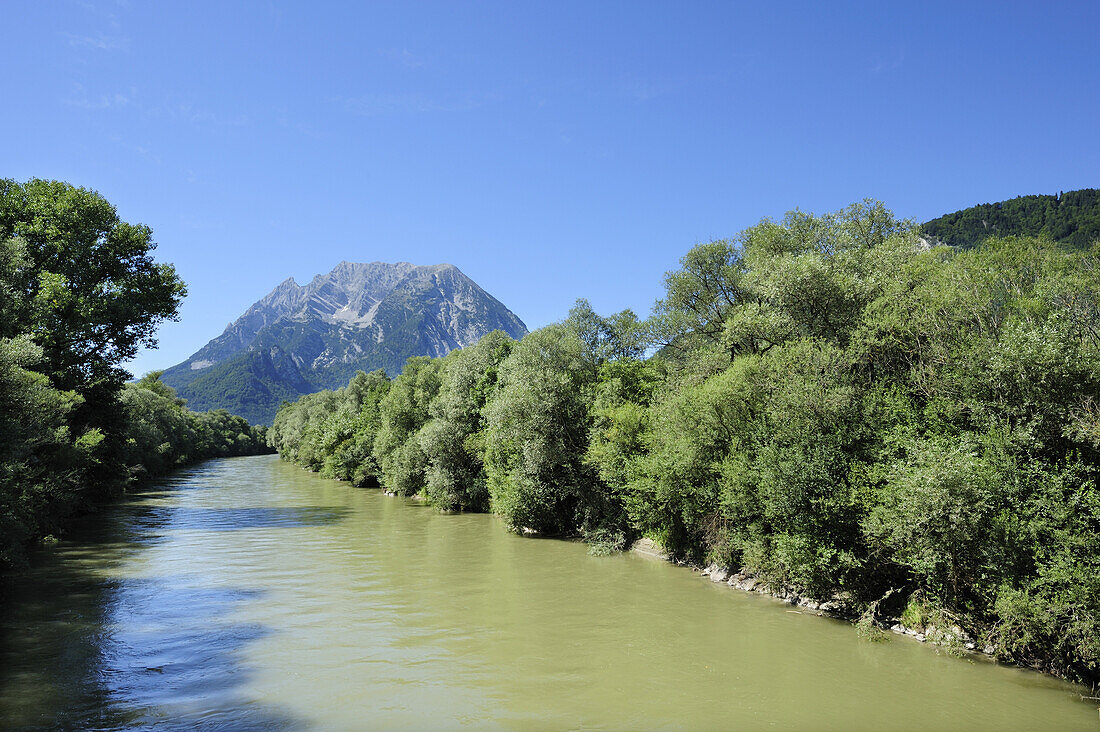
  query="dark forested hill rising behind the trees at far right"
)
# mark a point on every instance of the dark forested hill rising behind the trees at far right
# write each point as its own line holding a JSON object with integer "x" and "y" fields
{"x": 1072, "y": 218}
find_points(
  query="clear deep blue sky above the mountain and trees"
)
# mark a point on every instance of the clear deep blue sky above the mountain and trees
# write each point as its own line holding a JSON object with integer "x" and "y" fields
{"x": 552, "y": 151}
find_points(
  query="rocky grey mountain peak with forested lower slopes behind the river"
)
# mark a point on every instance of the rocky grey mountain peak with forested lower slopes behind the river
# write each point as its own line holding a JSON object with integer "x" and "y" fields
{"x": 300, "y": 340}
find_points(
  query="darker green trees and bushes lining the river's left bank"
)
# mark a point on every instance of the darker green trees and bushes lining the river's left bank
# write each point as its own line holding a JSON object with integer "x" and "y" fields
{"x": 79, "y": 294}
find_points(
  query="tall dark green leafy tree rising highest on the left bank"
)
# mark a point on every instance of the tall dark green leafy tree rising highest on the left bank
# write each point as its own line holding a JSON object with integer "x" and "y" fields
{"x": 89, "y": 291}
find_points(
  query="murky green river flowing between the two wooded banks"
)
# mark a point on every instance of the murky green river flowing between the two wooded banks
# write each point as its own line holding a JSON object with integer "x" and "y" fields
{"x": 249, "y": 594}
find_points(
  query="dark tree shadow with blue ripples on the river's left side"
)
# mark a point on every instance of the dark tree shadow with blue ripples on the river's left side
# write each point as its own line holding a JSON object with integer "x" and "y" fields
{"x": 83, "y": 648}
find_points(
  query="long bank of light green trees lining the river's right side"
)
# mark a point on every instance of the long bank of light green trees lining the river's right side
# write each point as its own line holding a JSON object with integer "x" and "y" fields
{"x": 829, "y": 406}
